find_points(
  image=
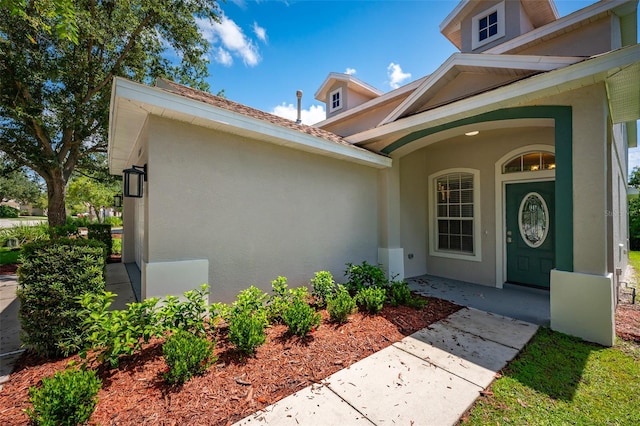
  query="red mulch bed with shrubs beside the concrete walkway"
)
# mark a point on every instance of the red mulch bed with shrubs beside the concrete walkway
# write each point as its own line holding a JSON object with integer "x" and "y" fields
{"x": 236, "y": 386}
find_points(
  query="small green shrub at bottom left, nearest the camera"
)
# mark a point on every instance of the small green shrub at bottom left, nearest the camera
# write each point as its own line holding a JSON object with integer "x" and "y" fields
{"x": 67, "y": 398}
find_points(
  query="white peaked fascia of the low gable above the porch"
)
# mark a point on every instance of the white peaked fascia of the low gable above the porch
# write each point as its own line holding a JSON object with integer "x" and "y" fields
{"x": 519, "y": 62}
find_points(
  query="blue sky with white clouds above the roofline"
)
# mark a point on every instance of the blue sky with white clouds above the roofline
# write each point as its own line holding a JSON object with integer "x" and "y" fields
{"x": 263, "y": 51}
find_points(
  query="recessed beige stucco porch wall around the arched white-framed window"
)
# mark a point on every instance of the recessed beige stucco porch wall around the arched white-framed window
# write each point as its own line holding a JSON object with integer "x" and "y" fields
{"x": 478, "y": 152}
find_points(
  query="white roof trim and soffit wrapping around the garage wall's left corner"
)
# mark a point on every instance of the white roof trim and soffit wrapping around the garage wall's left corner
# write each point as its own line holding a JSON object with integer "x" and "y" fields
{"x": 171, "y": 104}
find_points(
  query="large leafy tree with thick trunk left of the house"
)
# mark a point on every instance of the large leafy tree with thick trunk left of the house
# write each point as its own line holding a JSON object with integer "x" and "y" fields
{"x": 54, "y": 94}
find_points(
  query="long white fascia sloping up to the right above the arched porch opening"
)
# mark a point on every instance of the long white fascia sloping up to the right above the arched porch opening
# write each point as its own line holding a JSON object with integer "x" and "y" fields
{"x": 572, "y": 77}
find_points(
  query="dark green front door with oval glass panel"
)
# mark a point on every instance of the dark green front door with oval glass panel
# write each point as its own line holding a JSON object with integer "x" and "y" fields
{"x": 530, "y": 233}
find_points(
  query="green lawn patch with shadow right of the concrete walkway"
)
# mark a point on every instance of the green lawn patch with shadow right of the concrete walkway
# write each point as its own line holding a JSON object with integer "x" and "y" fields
{"x": 558, "y": 379}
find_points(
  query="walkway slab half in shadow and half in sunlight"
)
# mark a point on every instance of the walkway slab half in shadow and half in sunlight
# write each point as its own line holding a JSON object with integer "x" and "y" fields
{"x": 463, "y": 354}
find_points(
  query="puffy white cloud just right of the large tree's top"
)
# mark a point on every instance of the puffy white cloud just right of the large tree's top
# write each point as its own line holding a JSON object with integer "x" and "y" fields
{"x": 231, "y": 38}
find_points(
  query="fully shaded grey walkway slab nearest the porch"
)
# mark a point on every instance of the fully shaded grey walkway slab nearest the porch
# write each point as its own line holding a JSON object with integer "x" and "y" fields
{"x": 506, "y": 331}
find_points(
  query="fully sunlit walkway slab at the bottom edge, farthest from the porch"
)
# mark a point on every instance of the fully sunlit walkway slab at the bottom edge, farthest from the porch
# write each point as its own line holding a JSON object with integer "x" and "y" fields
{"x": 312, "y": 405}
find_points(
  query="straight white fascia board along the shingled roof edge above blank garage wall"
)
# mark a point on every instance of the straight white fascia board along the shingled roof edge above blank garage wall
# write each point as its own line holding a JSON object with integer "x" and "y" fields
{"x": 259, "y": 129}
